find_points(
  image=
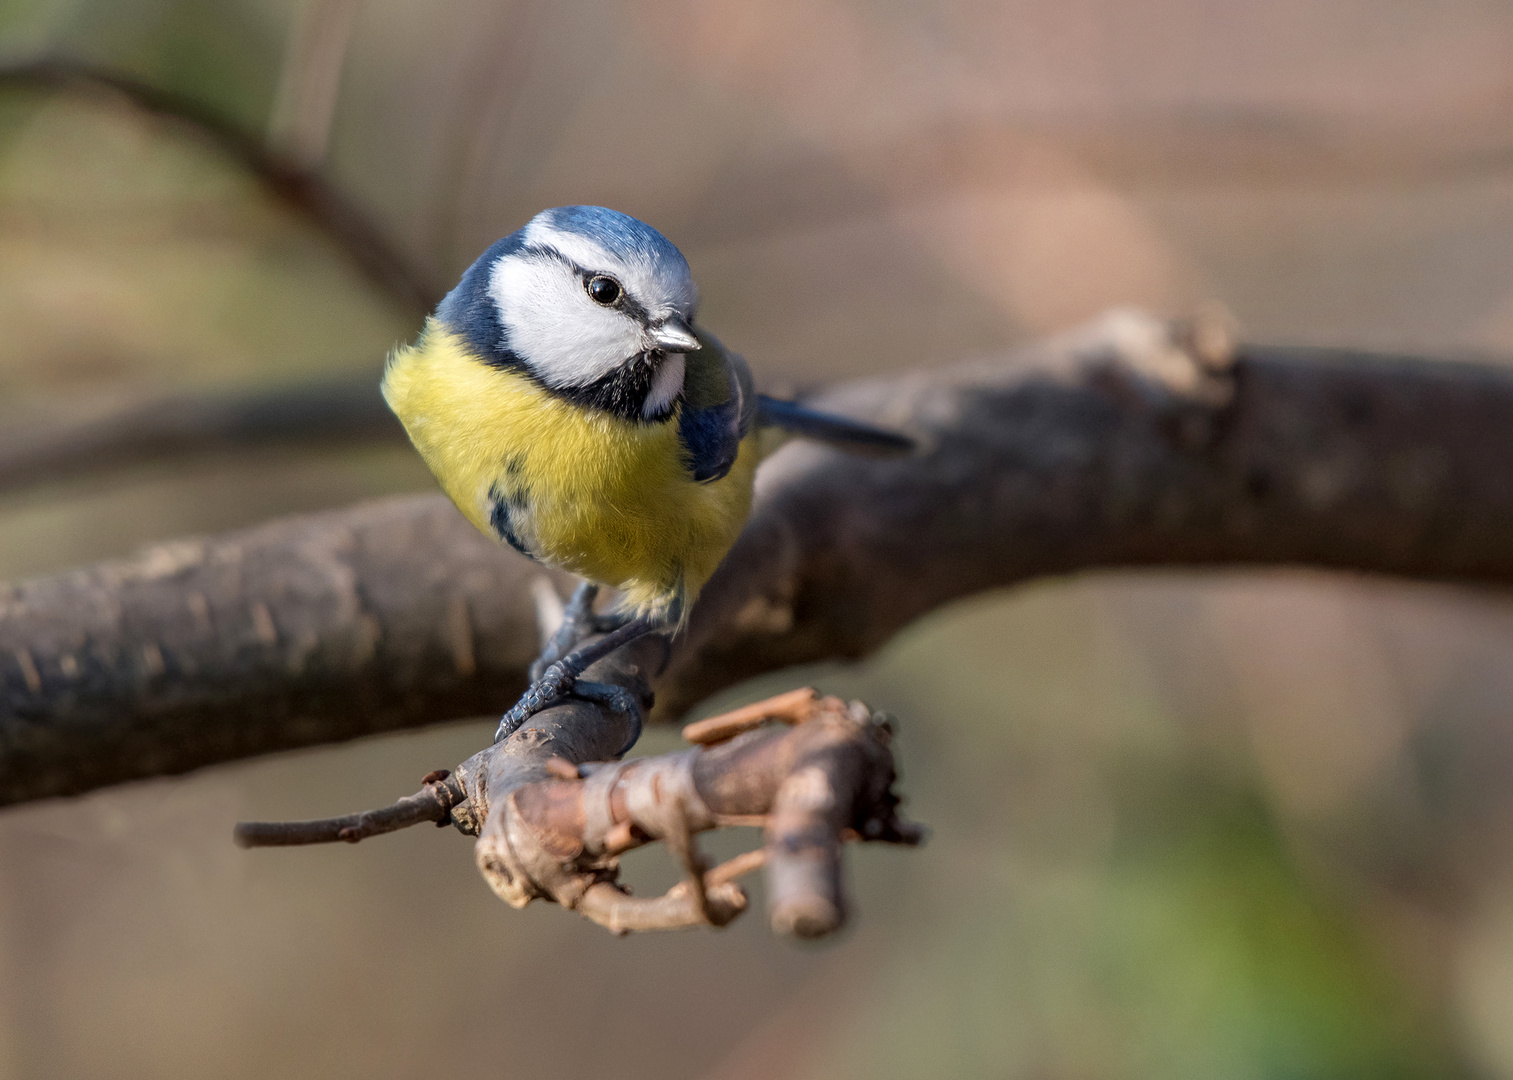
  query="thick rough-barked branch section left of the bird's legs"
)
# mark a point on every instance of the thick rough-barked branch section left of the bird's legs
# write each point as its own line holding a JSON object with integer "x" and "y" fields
{"x": 297, "y": 633}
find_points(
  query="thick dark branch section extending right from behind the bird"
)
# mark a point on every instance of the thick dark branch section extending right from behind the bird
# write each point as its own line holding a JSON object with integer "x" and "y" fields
{"x": 1126, "y": 444}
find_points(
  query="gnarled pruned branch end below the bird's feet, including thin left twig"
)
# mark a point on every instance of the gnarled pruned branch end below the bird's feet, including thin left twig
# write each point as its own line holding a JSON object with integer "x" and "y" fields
{"x": 550, "y": 830}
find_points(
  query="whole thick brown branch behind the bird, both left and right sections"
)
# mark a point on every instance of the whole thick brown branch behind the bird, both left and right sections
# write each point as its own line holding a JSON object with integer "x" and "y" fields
{"x": 1129, "y": 444}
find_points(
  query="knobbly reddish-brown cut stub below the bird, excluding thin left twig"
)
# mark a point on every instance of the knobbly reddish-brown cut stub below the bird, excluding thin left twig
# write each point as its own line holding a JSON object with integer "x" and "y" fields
{"x": 812, "y": 786}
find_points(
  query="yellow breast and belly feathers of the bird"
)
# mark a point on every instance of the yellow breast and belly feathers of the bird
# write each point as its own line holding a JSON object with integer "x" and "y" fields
{"x": 606, "y": 498}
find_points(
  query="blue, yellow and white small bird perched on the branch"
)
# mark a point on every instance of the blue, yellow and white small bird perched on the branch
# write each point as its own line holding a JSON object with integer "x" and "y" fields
{"x": 573, "y": 408}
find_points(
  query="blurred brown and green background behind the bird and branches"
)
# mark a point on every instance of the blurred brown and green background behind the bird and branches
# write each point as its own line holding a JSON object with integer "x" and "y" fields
{"x": 1185, "y": 825}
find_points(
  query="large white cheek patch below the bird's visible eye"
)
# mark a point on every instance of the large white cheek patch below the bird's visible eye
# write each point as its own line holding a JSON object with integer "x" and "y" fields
{"x": 556, "y": 329}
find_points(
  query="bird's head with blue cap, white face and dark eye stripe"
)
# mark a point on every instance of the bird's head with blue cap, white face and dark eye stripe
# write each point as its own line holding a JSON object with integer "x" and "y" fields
{"x": 592, "y": 303}
